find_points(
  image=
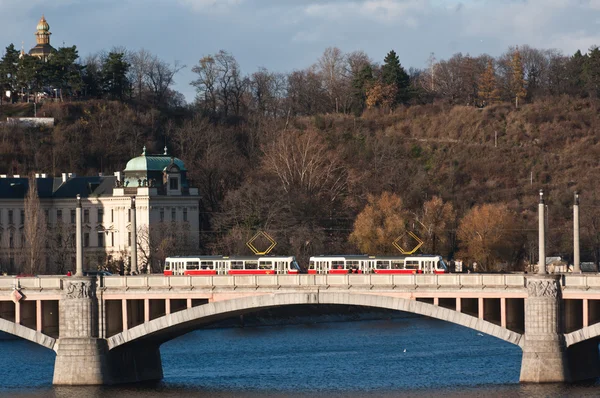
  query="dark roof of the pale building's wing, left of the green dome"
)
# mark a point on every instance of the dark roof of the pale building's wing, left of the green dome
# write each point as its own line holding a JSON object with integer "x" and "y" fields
{"x": 16, "y": 188}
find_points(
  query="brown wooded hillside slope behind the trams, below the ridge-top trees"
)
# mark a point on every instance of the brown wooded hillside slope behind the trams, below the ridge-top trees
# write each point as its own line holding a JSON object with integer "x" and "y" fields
{"x": 305, "y": 179}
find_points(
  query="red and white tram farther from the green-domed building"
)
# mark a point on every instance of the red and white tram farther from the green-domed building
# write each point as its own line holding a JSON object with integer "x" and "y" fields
{"x": 359, "y": 264}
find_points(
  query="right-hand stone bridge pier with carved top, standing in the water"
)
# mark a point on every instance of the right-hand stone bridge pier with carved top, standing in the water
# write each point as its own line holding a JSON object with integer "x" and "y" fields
{"x": 545, "y": 358}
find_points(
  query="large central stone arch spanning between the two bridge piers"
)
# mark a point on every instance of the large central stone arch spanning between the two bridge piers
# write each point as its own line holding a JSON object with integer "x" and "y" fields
{"x": 170, "y": 326}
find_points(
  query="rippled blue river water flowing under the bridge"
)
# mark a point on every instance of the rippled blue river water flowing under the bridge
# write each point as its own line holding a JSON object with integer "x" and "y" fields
{"x": 352, "y": 359}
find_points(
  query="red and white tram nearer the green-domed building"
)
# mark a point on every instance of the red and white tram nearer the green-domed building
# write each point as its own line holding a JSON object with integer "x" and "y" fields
{"x": 230, "y": 265}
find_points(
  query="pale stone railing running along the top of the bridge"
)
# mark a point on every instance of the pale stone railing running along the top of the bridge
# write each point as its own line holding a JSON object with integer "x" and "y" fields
{"x": 354, "y": 281}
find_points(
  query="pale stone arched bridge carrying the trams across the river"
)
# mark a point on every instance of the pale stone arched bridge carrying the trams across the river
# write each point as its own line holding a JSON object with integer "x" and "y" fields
{"x": 109, "y": 330}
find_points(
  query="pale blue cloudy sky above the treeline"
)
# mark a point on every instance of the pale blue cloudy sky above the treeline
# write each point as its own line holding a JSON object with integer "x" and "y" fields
{"x": 288, "y": 35}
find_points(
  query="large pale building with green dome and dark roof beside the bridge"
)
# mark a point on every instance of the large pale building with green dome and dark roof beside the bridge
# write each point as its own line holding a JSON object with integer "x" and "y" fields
{"x": 167, "y": 213}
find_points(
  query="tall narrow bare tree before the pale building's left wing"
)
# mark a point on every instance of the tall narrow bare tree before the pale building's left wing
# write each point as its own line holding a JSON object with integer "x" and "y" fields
{"x": 34, "y": 228}
